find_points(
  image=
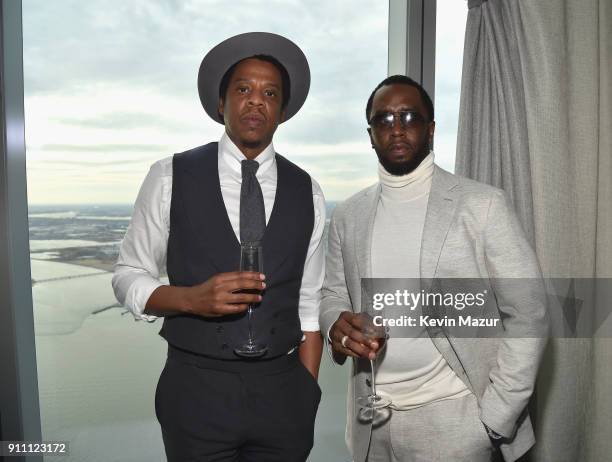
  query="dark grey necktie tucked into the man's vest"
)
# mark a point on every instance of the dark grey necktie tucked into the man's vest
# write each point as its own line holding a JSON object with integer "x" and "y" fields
{"x": 252, "y": 211}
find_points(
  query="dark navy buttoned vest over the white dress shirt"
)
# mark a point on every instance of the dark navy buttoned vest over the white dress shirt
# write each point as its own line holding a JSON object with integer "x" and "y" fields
{"x": 202, "y": 243}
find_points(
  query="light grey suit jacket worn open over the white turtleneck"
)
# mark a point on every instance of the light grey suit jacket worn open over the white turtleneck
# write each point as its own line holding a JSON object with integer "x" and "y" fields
{"x": 470, "y": 231}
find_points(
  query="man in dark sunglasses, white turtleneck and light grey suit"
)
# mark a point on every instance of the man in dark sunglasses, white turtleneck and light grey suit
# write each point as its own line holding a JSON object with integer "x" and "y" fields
{"x": 451, "y": 398}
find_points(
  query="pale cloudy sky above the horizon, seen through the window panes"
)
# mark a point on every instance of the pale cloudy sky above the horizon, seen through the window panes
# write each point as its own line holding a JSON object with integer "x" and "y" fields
{"x": 110, "y": 87}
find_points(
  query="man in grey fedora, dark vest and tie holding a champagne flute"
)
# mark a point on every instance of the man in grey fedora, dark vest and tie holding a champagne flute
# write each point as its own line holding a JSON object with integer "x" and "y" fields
{"x": 216, "y": 399}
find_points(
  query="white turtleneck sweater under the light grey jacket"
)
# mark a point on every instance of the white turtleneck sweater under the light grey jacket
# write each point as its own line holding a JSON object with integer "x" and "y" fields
{"x": 411, "y": 371}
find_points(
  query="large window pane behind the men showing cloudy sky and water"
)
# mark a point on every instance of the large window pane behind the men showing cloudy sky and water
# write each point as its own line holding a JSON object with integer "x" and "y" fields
{"x": 109, "y": 89}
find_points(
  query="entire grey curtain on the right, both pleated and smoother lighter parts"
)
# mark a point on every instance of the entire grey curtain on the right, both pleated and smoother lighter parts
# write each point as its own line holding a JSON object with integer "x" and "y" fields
{"x": 536, "y": 120}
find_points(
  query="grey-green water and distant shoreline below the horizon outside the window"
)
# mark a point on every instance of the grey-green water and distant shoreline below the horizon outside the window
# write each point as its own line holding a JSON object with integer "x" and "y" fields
{"x": 97, "y": 366}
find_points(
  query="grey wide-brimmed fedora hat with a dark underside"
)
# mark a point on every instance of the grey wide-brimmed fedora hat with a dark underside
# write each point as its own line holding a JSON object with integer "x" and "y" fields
{"x": 218, "y": 60}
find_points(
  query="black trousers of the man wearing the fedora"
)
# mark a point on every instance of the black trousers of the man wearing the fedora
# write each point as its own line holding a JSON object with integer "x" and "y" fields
{"x": 239, "y": 411}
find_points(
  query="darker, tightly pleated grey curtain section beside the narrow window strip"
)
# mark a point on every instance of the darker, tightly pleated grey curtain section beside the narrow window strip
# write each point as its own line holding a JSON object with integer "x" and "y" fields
{"x": 493, "y": 144}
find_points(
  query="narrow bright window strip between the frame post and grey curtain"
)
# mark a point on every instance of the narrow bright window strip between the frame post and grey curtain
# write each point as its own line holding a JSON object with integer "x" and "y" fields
{"x": 451, "y": 17}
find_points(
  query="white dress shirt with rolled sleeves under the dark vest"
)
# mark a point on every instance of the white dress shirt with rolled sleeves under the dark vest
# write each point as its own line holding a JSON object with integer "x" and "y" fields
{"x": 142, "y": 256}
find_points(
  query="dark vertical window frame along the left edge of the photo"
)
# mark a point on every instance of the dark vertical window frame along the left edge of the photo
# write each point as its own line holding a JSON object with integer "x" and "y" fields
{"x": 19, "y": 399}
